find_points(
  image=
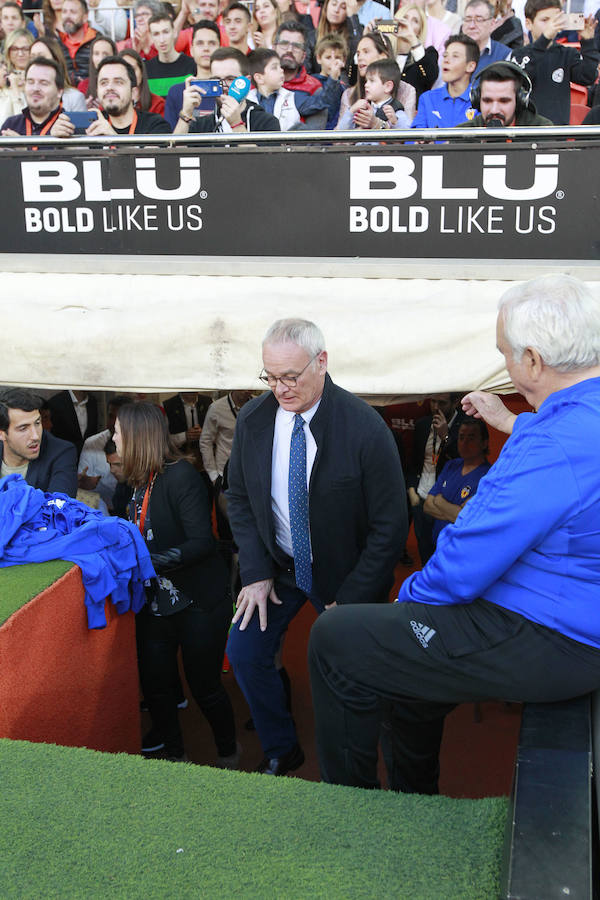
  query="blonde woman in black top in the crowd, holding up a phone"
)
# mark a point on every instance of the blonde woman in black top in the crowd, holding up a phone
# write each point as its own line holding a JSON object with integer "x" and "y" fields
{"x": 418, "y": 63}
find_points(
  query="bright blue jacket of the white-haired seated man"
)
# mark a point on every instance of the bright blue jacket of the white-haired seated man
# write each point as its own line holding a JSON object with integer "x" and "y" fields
{"x": 529, "y": 540}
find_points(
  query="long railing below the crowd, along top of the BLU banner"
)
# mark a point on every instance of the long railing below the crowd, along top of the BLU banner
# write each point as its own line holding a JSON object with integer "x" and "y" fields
{"x": 292, "y": 138}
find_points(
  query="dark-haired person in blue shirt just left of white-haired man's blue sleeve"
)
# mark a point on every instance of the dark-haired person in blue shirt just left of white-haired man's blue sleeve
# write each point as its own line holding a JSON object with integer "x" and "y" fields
{"x": 460, "y": 477}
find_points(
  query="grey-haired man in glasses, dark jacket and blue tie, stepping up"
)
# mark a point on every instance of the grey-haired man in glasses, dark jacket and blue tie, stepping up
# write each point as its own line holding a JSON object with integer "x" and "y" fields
{"x": 341, "y": 549}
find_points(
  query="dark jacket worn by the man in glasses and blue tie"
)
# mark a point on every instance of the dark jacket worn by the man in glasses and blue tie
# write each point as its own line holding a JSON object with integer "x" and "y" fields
{"x": 357, "y": 500}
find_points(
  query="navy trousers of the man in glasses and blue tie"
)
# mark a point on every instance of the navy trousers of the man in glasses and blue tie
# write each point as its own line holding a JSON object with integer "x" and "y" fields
{"x": 252, "y": 654}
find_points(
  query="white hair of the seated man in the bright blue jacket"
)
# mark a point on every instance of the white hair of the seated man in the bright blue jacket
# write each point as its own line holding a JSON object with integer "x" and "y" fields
{"x": 558, "y": 316}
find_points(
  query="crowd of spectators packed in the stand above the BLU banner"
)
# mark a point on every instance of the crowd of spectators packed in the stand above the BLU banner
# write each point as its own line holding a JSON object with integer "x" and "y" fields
{"x": 70, "y": 67}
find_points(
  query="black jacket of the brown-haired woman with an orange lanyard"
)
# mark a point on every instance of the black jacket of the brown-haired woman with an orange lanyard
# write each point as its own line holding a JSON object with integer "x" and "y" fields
{"x": 180, "y": 516}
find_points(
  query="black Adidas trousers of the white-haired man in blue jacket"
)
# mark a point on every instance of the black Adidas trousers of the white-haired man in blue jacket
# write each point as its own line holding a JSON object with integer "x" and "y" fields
{"x": 404, "y": 666}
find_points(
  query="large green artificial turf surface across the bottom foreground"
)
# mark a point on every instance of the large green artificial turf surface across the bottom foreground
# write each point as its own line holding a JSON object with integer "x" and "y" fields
{"x": 80, "y": 824}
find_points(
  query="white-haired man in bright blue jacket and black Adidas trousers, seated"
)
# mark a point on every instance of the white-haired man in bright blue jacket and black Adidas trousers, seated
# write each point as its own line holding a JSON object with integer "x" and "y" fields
{"x": 509, "y": 605}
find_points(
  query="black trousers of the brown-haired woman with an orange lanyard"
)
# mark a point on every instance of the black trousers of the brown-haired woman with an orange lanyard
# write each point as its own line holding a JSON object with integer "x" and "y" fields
{"x": 201, "y": 634}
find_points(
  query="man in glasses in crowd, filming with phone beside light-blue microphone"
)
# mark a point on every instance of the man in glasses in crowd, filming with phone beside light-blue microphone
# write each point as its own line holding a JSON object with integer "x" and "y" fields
{"x": 230, "y": 116}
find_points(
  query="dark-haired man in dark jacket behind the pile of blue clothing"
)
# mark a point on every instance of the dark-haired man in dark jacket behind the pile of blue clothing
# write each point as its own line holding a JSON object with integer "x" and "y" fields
{"x": 44, "y": 461}
